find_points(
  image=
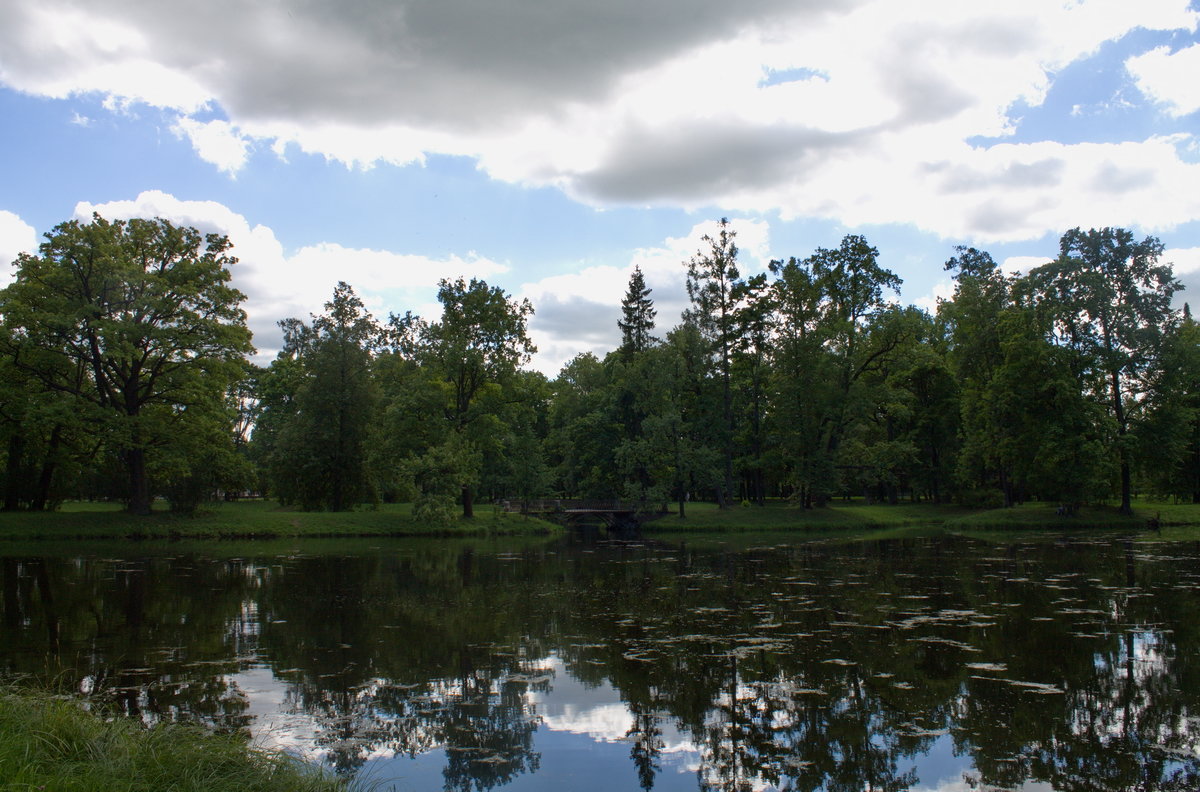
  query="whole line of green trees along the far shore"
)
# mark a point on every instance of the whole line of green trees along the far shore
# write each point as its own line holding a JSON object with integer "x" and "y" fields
{"x": 125, "y": 375}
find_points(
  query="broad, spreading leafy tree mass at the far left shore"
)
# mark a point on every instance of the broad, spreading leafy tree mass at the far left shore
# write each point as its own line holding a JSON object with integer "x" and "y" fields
{"x": 121, "y": 344}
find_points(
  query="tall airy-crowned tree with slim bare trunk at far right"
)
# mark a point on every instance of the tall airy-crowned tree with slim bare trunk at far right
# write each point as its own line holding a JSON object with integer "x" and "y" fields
{"x": 1112, "y": 301}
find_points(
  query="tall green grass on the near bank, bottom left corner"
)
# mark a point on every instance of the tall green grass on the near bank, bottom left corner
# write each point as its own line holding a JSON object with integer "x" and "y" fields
{"x": 49, "y": 743}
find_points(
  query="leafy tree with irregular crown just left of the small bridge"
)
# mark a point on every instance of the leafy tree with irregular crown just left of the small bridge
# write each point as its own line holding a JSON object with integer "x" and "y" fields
{"x": 475, "y": 352}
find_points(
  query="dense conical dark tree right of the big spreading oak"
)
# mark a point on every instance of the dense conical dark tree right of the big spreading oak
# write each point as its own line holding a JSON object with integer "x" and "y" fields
{"x": 322, "y": 457}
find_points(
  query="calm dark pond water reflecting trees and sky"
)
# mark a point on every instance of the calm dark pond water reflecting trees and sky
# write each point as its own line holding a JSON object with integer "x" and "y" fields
{"x": 917, "y": 664}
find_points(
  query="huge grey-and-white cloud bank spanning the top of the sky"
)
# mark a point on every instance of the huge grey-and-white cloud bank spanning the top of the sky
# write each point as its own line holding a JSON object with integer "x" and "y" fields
{"x": 628, "y": 103}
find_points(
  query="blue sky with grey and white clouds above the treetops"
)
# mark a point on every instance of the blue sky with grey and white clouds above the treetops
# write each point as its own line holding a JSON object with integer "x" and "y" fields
{"x": 549, "y": 148}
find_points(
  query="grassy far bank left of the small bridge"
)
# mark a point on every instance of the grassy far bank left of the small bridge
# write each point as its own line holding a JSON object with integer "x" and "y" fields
{"x": 253, "y": 520}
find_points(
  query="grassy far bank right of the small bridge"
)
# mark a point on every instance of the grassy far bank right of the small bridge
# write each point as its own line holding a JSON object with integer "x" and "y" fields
{"x": 859, "y": 515}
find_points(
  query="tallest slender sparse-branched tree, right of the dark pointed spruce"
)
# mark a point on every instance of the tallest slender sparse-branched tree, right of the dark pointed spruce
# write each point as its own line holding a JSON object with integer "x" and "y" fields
{"x": 715, "y": 291}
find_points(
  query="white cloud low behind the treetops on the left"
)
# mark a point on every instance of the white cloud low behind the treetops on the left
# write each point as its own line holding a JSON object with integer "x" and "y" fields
{"x": 283, "y": 284}
